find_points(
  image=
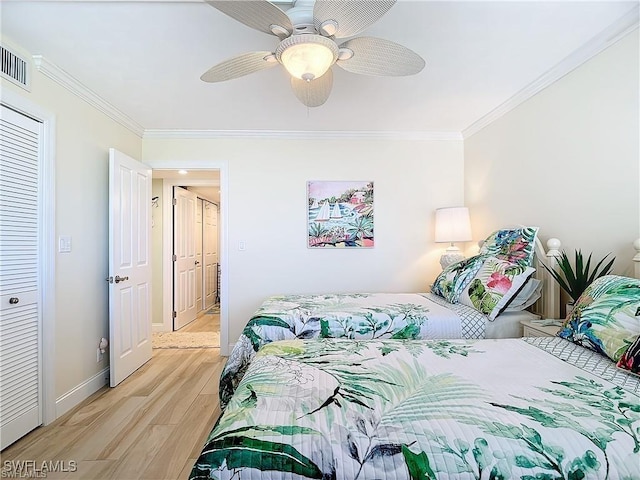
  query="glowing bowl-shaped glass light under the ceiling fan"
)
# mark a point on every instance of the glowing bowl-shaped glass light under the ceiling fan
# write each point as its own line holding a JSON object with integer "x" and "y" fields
{"x": 307, "y": 56}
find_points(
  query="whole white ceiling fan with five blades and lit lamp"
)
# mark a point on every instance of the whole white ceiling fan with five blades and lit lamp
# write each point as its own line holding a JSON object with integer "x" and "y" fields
{"x": 308, "y": 49}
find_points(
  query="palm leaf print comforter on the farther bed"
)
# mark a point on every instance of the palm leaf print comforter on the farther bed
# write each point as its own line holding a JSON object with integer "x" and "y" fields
{"x": 355, "y": 316}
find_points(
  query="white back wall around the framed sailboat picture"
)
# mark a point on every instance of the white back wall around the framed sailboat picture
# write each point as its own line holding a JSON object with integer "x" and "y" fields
{"x": 267, "y": 210}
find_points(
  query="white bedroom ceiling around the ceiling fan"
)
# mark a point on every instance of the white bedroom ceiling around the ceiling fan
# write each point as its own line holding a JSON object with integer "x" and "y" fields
{"x": 145, "y": 58}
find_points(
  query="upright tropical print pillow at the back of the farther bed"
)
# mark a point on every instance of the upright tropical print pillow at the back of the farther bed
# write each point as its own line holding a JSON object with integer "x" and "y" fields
{"x": 515, "y": 245}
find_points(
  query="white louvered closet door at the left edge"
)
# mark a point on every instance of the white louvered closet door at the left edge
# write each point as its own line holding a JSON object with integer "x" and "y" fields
{"x": 20, "y": 360}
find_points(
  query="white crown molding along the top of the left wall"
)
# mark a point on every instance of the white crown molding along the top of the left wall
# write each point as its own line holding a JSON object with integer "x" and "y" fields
{"x": 58, "y": 75}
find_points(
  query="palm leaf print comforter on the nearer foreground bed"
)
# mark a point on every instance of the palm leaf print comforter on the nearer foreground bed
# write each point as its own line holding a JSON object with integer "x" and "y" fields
{"x": 428, "y": 409}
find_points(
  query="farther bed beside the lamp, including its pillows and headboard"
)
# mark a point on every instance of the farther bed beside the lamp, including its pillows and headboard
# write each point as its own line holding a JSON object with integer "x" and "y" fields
{"x": 459, "y": 304}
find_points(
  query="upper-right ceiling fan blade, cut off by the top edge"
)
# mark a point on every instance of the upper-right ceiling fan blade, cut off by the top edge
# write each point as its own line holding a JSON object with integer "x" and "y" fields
{"x": 351, "y": 16}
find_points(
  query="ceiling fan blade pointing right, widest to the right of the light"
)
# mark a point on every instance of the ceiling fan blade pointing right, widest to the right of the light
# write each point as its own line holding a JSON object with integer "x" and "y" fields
{"x": 375, "y": 56}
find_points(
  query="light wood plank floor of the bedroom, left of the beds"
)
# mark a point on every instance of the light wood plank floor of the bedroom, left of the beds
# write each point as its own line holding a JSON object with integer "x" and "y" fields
{"x": 151, "y": 426}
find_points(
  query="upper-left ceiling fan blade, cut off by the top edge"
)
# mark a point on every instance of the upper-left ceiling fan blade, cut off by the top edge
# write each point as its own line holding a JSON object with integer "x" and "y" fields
{"x": 261, "y": 15}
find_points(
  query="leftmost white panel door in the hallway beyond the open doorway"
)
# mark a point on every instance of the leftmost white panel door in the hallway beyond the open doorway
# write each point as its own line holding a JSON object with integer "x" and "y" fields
{"x": 184, "y": 250}
